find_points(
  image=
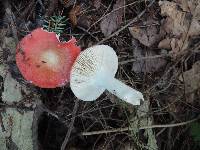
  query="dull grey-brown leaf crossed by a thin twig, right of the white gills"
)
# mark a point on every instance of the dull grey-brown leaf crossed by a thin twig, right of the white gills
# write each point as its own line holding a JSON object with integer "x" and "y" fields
{"x": 149, "y": 64}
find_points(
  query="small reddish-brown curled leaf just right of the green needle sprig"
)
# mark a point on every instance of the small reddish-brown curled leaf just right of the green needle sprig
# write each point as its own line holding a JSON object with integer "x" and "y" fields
{"x": 74, "y": 12}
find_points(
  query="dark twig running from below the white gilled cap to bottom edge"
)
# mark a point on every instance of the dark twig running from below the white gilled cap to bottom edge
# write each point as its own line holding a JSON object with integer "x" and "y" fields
{"x": 70, "y": 126}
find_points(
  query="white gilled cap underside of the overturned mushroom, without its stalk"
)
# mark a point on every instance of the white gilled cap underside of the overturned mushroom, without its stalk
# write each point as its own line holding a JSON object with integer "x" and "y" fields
{"x": 89, "y": 69}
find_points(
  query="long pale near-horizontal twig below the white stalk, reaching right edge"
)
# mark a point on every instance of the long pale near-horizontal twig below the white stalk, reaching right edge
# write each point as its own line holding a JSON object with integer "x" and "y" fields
{"x": 140, "y": 128}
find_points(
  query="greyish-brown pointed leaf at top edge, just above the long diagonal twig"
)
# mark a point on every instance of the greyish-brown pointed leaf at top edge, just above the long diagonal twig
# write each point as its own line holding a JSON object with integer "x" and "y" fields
{"x": 111, "y": 22}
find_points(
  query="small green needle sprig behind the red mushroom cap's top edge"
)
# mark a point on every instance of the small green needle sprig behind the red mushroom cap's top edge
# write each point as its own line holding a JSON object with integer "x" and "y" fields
{"x": 55, "y": 24}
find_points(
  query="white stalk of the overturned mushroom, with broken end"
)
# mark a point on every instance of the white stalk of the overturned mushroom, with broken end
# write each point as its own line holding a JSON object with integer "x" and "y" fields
{"x": 122, "y": 91}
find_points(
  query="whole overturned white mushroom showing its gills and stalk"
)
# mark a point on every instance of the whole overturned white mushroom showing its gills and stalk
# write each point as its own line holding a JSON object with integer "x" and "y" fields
{"x": 94, "y": 71}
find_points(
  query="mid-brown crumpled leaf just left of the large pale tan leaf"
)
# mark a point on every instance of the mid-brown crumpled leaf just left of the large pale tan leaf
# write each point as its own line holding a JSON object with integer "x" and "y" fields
{"x": 147, "y": 35}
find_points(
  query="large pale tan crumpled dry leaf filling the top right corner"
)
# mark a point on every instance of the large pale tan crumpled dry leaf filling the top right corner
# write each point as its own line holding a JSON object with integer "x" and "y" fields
{"x": 181, "y": 23}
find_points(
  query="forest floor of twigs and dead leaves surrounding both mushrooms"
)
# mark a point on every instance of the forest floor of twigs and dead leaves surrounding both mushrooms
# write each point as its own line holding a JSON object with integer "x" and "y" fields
{"x": 158, "y": 48}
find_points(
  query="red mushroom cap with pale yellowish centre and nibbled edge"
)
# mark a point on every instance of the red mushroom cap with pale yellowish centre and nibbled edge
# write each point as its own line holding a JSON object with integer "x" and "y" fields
{"x": 45, "y": 61}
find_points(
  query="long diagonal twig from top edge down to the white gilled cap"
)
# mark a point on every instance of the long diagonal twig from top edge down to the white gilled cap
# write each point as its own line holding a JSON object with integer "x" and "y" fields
{"x": 128, "y": 24}
